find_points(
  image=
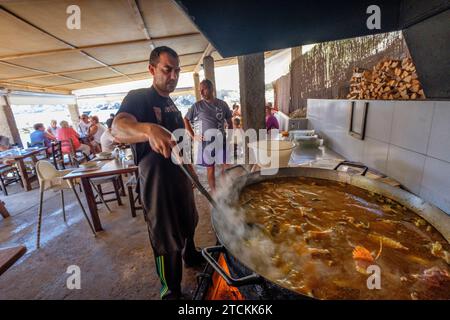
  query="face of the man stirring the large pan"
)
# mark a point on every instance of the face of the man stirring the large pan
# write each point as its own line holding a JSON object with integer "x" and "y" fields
{"x": 165, "y": 73}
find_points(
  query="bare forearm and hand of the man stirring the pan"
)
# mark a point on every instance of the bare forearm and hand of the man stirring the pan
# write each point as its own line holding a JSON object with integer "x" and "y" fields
{"x": 128, "y": 130}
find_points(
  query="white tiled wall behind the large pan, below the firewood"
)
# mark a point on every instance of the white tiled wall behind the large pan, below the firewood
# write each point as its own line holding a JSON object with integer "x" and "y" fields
{"x": 407, "y": 140}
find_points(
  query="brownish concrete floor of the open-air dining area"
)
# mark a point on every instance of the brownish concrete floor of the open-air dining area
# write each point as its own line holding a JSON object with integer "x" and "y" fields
{"x": 117, "y": 264}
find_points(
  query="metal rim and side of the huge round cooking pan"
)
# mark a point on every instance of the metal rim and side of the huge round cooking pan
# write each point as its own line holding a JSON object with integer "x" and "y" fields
{"x": 243, "y": 272}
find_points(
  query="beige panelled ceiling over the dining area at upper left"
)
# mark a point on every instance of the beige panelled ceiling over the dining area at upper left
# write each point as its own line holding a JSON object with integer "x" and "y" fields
{"x": 39, "y": 53}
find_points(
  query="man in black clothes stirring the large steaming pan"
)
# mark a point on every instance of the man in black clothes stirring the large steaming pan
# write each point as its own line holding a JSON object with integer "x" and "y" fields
{"x": 145, "y": 119}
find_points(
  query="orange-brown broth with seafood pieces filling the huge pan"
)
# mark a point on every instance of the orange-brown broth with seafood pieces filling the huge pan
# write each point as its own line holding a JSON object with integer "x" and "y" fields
{"x": 329, "y": 235}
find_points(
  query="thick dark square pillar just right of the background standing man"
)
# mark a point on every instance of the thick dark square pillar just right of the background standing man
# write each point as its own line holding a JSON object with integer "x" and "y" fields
{"x": 252, "y": 90}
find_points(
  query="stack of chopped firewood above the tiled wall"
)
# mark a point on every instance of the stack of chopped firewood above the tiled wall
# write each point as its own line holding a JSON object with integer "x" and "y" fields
{"x": 388, "y": 80}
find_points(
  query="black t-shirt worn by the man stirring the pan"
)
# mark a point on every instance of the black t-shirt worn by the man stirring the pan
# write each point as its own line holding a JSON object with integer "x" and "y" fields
{"x": 148, "y": 106}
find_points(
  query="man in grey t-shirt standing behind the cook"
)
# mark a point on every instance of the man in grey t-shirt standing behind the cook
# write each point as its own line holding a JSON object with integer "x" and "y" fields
{"x": 208, "y": 113}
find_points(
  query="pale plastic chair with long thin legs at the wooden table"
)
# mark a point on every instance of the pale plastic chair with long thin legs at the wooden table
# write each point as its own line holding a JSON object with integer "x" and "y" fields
{"x": 51, "y": 179}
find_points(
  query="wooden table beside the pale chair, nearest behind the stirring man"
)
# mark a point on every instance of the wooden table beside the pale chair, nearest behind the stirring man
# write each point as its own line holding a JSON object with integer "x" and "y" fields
{"x": 108, "y": 168}
